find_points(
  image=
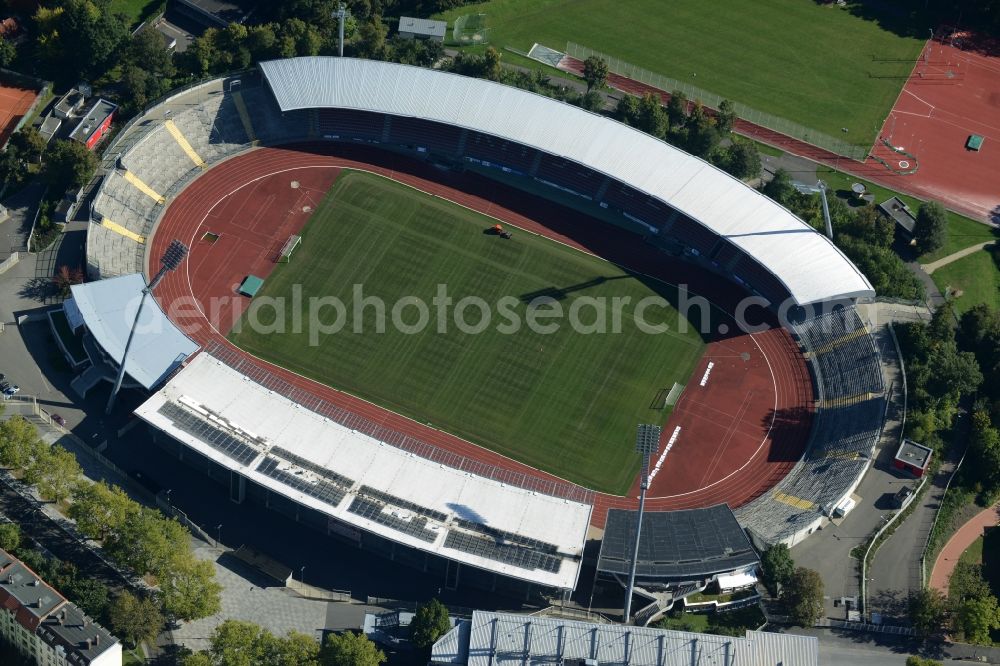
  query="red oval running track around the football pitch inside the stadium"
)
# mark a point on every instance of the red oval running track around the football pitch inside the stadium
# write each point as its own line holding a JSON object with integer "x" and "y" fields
{"x": 740, "y": 433}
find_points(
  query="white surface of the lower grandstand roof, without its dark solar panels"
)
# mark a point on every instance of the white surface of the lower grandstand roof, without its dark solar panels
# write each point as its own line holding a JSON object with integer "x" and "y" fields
{"x": 276, "y": 421}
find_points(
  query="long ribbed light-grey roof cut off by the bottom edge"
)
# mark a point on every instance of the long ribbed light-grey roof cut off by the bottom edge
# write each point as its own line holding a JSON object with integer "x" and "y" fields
{"x": 505, "y": 638}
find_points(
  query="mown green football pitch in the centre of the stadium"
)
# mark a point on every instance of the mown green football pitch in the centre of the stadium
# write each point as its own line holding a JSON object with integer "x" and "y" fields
{"x": 566, "y": 402}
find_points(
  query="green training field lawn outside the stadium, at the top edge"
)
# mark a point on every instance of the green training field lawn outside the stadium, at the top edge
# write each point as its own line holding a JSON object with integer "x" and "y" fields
{"x": 816, "y": 65}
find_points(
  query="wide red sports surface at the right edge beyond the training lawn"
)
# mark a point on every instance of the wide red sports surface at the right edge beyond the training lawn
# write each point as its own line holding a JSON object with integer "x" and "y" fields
{"x": 953, "y": 92}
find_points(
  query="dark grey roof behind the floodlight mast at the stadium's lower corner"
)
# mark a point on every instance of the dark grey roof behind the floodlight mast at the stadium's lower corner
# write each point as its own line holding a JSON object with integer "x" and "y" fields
{"x": 679, "y": 545}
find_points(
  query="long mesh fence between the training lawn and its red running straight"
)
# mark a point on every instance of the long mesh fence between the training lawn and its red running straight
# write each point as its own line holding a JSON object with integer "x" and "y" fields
{"x": 775, "y": 123}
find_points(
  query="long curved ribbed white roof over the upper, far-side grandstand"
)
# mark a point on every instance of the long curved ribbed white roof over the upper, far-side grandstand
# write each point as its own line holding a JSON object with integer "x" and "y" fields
{"x": 806, "y": 262}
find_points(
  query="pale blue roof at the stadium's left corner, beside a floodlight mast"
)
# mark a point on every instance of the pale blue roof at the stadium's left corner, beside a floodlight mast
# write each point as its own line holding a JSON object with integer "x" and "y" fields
{"x": 108, "y": 308}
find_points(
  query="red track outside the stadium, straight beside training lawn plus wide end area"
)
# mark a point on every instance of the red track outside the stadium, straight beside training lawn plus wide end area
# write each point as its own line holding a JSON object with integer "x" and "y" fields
{"x": 931, "y": 119}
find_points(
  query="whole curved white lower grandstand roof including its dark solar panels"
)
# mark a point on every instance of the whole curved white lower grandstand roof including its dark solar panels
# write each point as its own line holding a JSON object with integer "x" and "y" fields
{"x": 367, "y": 483}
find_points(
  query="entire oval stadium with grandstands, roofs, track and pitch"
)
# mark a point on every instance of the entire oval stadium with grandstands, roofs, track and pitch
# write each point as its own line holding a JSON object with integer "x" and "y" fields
{"x": 778, "y": 421}
